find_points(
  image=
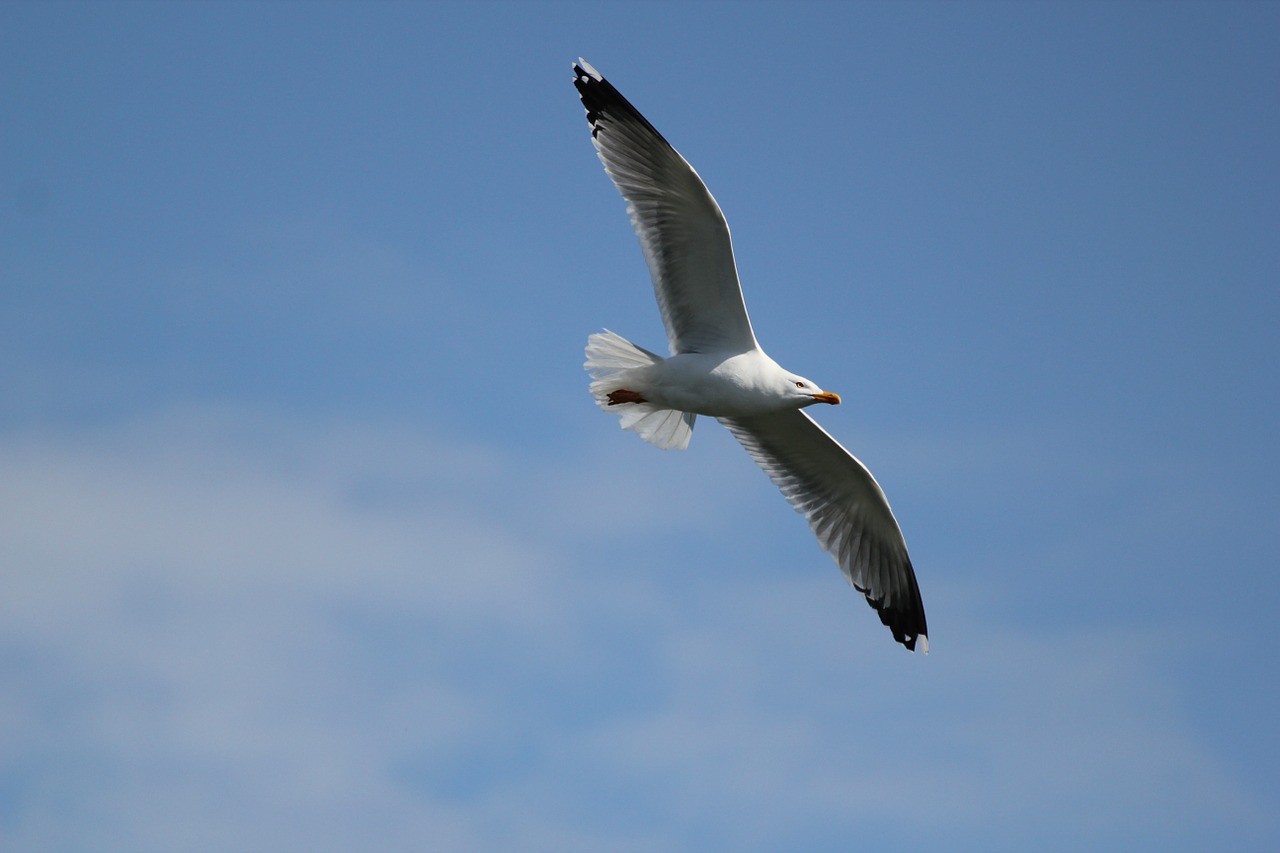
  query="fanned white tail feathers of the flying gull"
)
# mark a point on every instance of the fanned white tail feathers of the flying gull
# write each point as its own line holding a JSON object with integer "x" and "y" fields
{"x": 612, "y": 362}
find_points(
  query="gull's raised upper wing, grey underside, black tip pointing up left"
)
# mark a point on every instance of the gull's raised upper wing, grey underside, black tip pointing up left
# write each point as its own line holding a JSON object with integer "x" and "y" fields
{"x": 682, "y": 229}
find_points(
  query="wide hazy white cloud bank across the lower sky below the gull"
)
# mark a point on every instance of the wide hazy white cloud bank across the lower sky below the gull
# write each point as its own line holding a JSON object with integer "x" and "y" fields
{"x": 226, "y": 630}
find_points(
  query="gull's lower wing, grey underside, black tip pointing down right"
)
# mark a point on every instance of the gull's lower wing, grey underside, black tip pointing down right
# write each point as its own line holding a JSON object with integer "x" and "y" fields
{"x": 847, "y": 510}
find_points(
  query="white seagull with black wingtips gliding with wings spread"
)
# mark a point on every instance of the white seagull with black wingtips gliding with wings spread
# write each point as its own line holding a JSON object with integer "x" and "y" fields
{"x": 717, "y": 367}
